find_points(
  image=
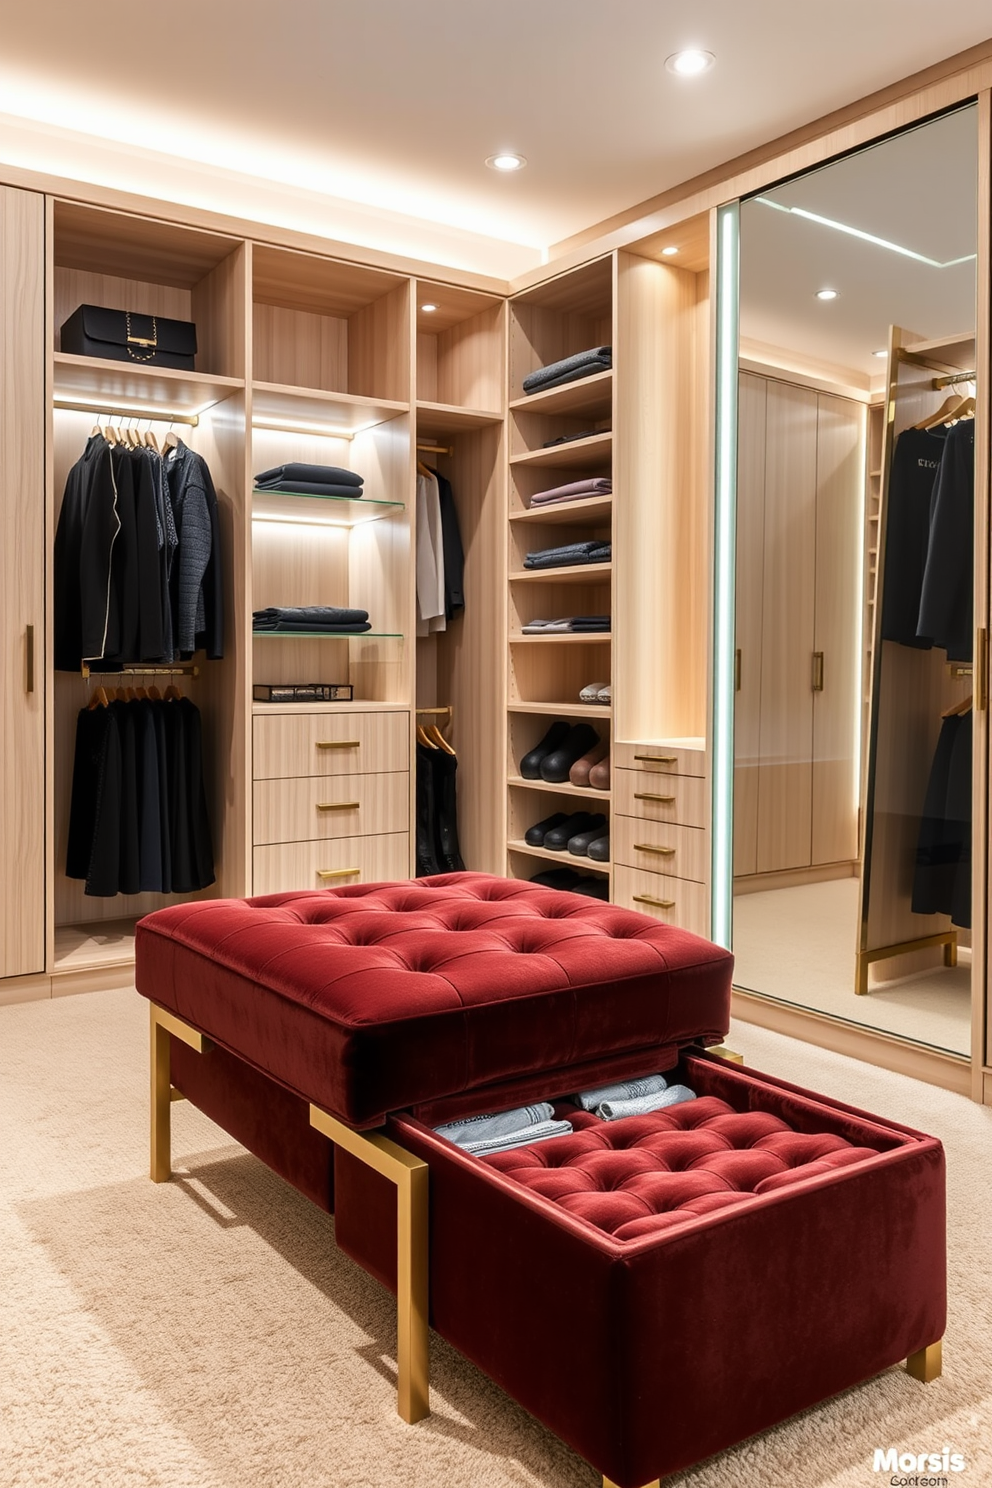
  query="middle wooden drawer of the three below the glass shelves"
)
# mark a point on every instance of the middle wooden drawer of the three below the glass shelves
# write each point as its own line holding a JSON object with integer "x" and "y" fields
{"x": 313, "y": 807}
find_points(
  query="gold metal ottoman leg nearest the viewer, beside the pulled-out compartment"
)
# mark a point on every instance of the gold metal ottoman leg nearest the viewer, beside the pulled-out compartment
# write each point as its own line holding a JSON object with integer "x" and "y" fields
{"x": 410, "y": 1178}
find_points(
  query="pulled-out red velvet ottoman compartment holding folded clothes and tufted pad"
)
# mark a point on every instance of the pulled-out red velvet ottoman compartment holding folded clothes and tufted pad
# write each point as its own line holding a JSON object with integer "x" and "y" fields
{"x": 660, "y": 1288}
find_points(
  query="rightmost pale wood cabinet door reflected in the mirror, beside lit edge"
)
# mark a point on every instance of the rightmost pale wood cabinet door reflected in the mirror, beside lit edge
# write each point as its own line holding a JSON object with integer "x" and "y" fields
{"x": 837, "y": 629}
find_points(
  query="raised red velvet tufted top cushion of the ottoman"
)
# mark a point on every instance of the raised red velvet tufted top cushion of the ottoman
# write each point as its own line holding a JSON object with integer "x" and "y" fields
{"x": 384, "y": 998}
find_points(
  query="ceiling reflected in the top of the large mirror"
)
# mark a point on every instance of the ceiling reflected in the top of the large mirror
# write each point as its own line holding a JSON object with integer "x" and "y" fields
{"x": 918, "y": 191}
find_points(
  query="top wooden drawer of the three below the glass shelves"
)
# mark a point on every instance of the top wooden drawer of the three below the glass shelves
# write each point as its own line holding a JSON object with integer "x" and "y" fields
{"x": 331, "y": 745}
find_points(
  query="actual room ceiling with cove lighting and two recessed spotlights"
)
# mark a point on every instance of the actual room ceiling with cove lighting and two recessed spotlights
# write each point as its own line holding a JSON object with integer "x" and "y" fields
{"x": 312, "y": 108}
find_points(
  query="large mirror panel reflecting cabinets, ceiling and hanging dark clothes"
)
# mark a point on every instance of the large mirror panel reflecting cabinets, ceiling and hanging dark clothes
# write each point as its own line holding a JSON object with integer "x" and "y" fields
{"x": 854, "y": 587}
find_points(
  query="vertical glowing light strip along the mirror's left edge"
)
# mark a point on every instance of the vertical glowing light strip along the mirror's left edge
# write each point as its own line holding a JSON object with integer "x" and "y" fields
{"x": 724, "y": 572}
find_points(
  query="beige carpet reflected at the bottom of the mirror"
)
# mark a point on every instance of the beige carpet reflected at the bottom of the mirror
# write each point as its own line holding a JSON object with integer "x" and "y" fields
{"x": 798, "y": 944}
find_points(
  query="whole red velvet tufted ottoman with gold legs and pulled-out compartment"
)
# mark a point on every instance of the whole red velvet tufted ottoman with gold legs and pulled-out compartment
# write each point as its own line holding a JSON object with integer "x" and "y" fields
{"x": 704, "y": 1271}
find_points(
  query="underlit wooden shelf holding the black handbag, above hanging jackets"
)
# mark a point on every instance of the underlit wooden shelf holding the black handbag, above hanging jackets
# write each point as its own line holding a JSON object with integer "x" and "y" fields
{"x": 139, "y": 386}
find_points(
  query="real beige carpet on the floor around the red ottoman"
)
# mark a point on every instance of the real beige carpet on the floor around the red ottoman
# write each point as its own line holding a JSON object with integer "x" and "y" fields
{"x": 206, "y": 1334}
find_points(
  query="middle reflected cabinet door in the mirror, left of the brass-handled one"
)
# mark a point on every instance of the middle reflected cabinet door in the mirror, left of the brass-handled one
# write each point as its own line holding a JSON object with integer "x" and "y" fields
{"x": 788, "y": 630}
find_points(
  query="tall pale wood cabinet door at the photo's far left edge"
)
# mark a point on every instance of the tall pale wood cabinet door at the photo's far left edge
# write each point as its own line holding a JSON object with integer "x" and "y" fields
{"x": 22, "y": 583}
